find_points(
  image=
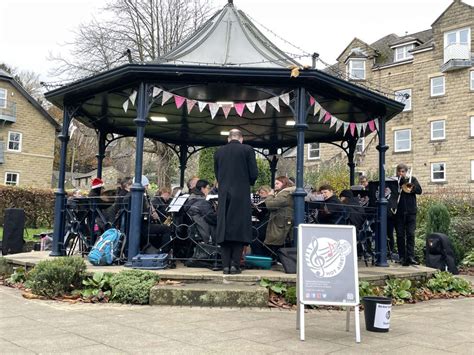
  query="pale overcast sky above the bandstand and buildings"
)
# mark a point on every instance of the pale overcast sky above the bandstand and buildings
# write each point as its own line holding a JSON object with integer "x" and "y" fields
{"x": 31, "y": 29}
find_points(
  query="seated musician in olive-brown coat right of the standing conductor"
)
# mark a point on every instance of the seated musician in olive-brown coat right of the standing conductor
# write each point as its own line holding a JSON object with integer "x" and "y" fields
{"x": 280, "y": 206}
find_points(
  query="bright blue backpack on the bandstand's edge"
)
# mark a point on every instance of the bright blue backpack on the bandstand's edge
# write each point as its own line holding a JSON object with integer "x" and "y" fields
{"x": 108, "y": 248}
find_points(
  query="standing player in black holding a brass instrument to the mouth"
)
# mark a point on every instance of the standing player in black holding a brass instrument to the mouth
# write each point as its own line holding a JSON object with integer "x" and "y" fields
{"x": 405, "y": 216}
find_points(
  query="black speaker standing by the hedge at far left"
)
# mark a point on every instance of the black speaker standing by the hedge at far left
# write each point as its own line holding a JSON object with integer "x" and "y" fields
{"x": 13, "y": 227}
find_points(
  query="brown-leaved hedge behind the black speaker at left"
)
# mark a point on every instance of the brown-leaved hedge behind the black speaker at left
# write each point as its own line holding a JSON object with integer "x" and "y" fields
{"x": 37, "y": 203}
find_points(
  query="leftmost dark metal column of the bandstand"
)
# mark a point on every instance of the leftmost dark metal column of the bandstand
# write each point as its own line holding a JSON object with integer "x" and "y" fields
{"x": 60, "y": 202}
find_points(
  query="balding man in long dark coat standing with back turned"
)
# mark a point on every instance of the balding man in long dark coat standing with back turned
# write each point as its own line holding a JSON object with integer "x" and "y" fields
{"x": 236, "y": 170}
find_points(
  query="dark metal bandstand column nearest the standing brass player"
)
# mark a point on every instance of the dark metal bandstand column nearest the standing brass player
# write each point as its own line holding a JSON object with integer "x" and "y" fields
{"x": 381, "y": 238}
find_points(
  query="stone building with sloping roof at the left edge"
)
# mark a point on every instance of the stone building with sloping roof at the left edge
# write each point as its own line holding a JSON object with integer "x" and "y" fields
{"x": 27, "y": 134}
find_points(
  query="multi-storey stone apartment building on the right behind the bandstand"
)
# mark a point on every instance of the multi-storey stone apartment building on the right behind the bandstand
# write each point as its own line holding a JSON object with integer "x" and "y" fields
{"x": 432, "y": 73}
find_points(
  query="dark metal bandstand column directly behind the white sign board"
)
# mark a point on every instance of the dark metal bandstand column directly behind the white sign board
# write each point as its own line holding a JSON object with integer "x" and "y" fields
{"x": 301, "y": 126}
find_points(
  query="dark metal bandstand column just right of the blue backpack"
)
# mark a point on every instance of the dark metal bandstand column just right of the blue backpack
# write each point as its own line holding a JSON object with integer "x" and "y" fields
{"x": 137, "y": 189}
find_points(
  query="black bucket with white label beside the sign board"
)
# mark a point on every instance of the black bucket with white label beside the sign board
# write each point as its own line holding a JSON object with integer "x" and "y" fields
{"x": 377, "y": 312}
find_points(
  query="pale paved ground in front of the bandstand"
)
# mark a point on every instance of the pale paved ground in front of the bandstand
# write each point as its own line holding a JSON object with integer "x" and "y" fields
{"x": 33, "y": 326}
